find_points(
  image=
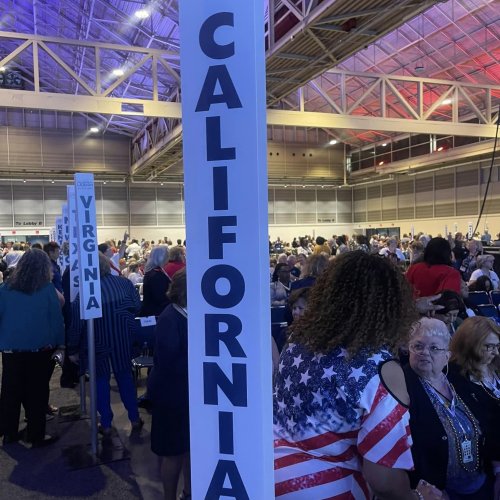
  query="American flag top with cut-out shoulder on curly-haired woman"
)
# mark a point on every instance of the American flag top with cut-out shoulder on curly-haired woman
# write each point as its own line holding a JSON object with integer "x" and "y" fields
{"x": 330, "y": 412}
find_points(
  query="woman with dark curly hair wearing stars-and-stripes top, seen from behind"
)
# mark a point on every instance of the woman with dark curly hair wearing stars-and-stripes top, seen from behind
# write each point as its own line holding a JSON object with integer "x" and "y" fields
{"x": 340, "y": 404}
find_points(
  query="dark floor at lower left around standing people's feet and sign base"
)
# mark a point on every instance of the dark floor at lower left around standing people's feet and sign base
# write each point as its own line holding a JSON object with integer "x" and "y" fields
{"x": 44, "y": 473}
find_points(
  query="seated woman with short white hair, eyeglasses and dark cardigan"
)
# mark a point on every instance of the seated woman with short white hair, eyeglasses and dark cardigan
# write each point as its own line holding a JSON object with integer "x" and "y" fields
{"x": 448, "y": 437}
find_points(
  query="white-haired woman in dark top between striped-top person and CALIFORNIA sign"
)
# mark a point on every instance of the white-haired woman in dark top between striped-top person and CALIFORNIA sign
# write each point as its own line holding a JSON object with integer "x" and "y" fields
{"x": 156, "y": 283}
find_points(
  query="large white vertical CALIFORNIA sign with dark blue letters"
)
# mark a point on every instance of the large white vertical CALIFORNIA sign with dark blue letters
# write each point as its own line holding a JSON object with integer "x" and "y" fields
{"x": 225, "y": 174}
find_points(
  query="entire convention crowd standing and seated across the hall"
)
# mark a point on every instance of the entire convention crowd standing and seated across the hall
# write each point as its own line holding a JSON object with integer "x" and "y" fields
{"x": 385, "y": 359}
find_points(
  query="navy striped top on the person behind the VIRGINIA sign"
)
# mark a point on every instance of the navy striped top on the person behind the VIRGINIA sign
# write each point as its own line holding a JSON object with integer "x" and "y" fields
{"x": 113, "y": 331}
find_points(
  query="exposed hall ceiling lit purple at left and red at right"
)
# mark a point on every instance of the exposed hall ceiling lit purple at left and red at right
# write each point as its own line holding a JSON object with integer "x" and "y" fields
{"x": 129, "y": 49}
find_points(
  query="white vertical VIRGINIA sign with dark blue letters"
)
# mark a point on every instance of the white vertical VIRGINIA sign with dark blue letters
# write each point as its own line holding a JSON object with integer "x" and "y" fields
{"x": 88, "y": 257}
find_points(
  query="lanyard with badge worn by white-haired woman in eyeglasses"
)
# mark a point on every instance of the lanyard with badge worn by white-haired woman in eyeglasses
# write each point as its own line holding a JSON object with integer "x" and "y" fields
{"x": 468, "y": 456}
